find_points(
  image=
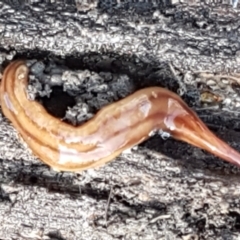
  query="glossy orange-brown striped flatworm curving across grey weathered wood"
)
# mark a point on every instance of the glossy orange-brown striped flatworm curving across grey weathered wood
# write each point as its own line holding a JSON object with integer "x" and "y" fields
{"x": 113, "y": 129}
